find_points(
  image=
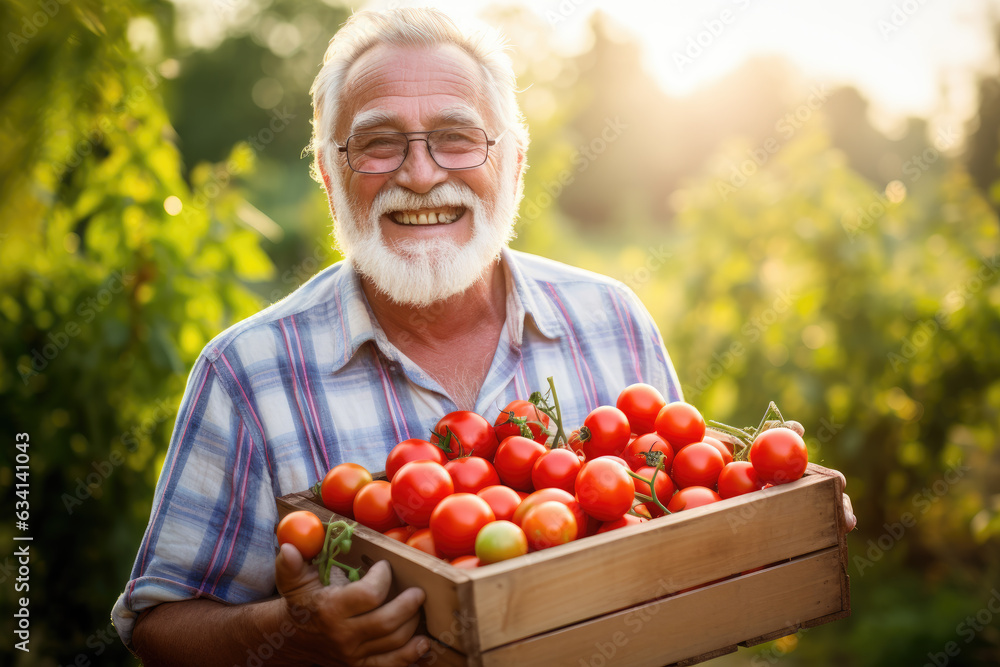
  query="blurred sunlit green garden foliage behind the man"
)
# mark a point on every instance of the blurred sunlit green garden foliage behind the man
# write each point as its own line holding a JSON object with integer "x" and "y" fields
{"x": 834, "y": 275}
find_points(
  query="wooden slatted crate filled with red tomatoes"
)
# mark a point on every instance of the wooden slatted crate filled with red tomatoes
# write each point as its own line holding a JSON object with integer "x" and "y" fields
{"x": 614, "y": 598}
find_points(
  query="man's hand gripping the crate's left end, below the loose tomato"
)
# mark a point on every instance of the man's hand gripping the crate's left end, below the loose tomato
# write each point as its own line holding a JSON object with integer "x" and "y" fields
{"x": 349, "y": 620}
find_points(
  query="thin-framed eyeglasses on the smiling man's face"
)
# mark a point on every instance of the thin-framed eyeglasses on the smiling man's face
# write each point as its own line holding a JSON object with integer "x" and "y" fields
{"x": 384, "y": 152}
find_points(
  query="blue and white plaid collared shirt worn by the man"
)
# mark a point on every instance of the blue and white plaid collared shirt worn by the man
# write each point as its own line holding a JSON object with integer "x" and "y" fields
{"x": 312, "y": 381}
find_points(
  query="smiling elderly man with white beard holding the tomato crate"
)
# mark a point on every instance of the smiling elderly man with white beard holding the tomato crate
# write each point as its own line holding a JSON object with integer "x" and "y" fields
{"x": 420, "y": 146}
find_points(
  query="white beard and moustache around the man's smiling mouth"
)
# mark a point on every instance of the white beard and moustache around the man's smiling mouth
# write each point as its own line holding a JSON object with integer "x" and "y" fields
{"x": 417, "y": 272}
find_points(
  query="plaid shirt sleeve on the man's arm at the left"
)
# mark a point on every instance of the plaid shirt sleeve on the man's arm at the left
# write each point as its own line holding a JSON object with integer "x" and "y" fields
{"x": 211, "y": 527}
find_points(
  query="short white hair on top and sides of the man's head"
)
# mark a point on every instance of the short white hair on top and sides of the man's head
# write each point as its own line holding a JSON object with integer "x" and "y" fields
{"x": 411, "y": 27}
